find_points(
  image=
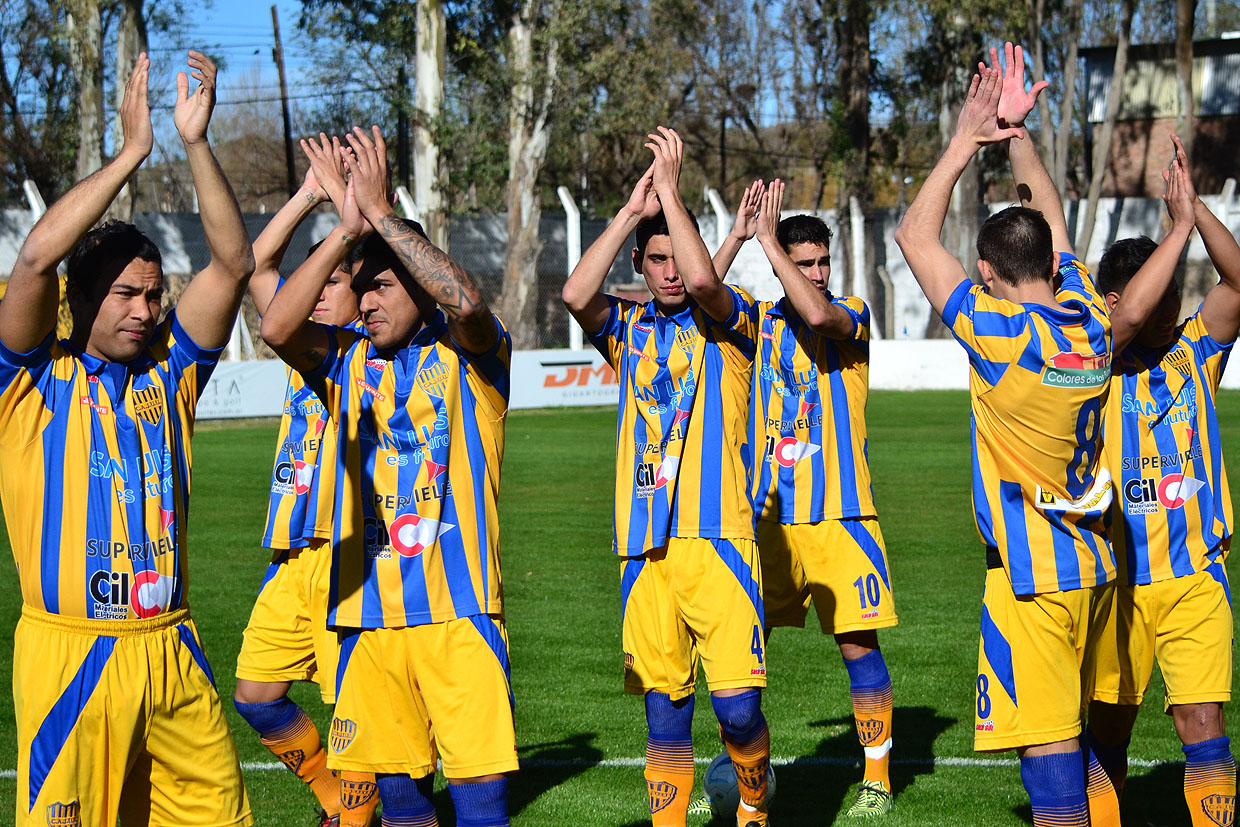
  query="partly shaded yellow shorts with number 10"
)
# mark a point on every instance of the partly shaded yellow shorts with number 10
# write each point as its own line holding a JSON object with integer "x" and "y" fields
{"x": 841, "y": 565}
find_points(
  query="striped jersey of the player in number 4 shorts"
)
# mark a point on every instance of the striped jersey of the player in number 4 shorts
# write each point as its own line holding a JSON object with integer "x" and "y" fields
{"x": 683, "y": 453}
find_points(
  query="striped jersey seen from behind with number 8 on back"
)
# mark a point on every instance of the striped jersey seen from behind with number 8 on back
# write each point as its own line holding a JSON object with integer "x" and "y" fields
{"x": 1038, "y": 380}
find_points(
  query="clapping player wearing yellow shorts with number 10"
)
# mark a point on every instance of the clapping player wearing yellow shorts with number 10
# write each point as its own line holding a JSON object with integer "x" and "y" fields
{"x": 818, "y": 530}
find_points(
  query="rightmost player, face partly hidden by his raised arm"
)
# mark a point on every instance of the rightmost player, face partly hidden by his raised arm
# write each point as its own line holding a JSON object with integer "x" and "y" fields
{"x": 1172, "y": 516}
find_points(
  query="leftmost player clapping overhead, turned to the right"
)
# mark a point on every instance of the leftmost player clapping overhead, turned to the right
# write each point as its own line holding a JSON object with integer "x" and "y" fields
{"x": 118, "y": 715}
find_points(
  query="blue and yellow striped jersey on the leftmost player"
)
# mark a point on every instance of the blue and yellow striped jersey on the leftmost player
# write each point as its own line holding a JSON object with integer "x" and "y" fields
{"x": 95, "y": 474}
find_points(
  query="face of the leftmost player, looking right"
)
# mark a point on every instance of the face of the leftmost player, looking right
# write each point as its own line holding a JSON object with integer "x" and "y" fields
{"x": 123, "y": 314}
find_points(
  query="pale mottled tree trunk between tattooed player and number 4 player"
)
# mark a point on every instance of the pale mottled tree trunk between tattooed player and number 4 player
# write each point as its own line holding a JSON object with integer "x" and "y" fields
{"x": 529, "y": 136}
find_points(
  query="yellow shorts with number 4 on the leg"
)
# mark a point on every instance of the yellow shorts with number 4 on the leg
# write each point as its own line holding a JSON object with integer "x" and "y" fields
{"x": 694, "y": 599}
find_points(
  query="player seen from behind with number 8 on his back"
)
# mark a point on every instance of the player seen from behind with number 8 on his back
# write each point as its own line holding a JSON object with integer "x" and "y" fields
{"x": 1038, "y": 342}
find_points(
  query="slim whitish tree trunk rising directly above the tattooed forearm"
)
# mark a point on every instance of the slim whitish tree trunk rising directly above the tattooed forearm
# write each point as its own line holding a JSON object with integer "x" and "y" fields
{"x": 430, "y": 71}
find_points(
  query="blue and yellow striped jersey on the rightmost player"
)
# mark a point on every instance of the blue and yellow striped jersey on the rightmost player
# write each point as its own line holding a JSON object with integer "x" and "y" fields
{"x": 1172, "y": 511}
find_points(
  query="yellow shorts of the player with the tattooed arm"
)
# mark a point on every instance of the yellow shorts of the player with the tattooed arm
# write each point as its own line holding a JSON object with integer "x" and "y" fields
{"x": 405, "y": 692}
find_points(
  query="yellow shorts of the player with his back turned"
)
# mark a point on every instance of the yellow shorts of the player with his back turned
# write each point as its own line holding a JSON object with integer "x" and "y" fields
{"x": 1029, "y": 686}
